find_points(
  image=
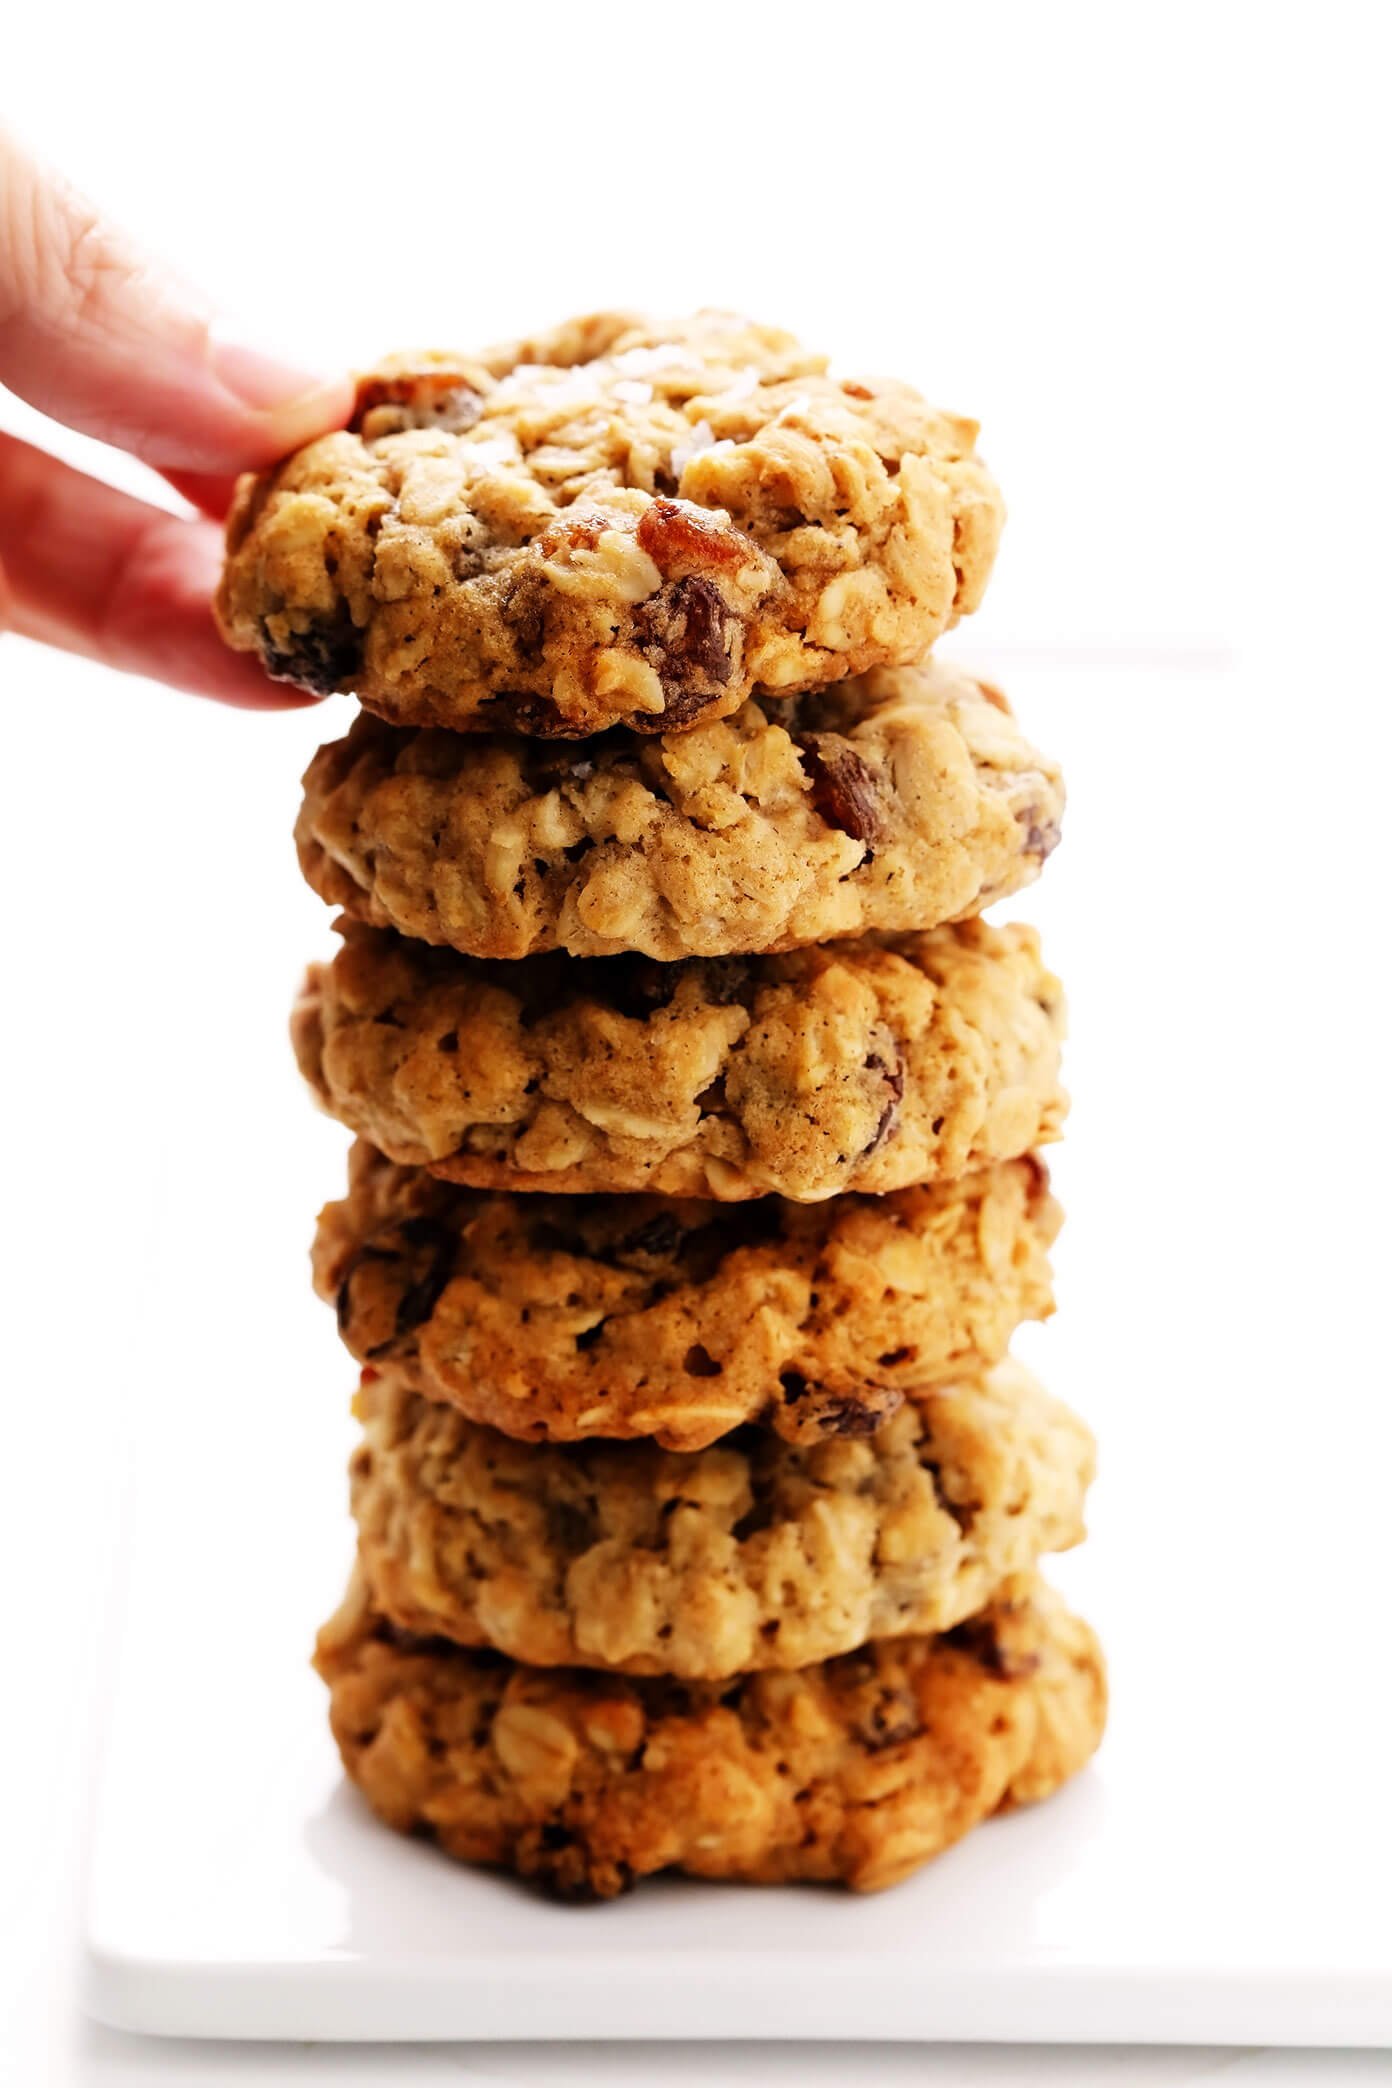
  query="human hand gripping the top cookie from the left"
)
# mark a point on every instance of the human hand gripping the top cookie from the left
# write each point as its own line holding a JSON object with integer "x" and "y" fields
{"x": 95, "y": 335}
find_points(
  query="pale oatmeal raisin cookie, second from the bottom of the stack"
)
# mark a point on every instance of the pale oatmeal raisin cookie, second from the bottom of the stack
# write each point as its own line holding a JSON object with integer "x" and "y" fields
{"x": 752, "y": 1555}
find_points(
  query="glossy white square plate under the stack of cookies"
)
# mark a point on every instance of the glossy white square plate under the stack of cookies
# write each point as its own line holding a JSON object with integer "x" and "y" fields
{"x": 1218, "y": 1876}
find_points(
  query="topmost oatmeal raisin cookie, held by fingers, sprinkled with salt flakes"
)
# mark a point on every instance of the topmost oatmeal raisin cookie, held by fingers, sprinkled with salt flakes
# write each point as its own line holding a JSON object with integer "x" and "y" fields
{"x": 615, "y": 525}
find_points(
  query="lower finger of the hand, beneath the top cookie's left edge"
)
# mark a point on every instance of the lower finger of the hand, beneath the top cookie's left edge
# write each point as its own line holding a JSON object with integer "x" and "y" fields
{"x": 99, "y": 573}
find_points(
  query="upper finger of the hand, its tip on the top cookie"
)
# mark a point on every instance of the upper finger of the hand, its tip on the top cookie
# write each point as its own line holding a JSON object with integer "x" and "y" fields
{"x": 97, "y": 337}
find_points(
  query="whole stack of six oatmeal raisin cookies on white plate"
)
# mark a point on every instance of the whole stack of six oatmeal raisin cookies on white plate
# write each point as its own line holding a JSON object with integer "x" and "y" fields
{"x": 696, "y": 1191}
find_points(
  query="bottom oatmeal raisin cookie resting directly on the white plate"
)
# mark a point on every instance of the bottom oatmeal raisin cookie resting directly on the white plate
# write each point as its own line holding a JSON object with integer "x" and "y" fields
{"x": 857, "y": 1770}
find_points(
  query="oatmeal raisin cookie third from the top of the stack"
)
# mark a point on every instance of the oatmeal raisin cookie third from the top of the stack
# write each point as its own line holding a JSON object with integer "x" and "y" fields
{"x": 855, "y": 1066}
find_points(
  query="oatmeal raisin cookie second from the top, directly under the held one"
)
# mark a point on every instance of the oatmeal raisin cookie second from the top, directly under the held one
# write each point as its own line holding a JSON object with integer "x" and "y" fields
{"x": 896, "y": 801}
